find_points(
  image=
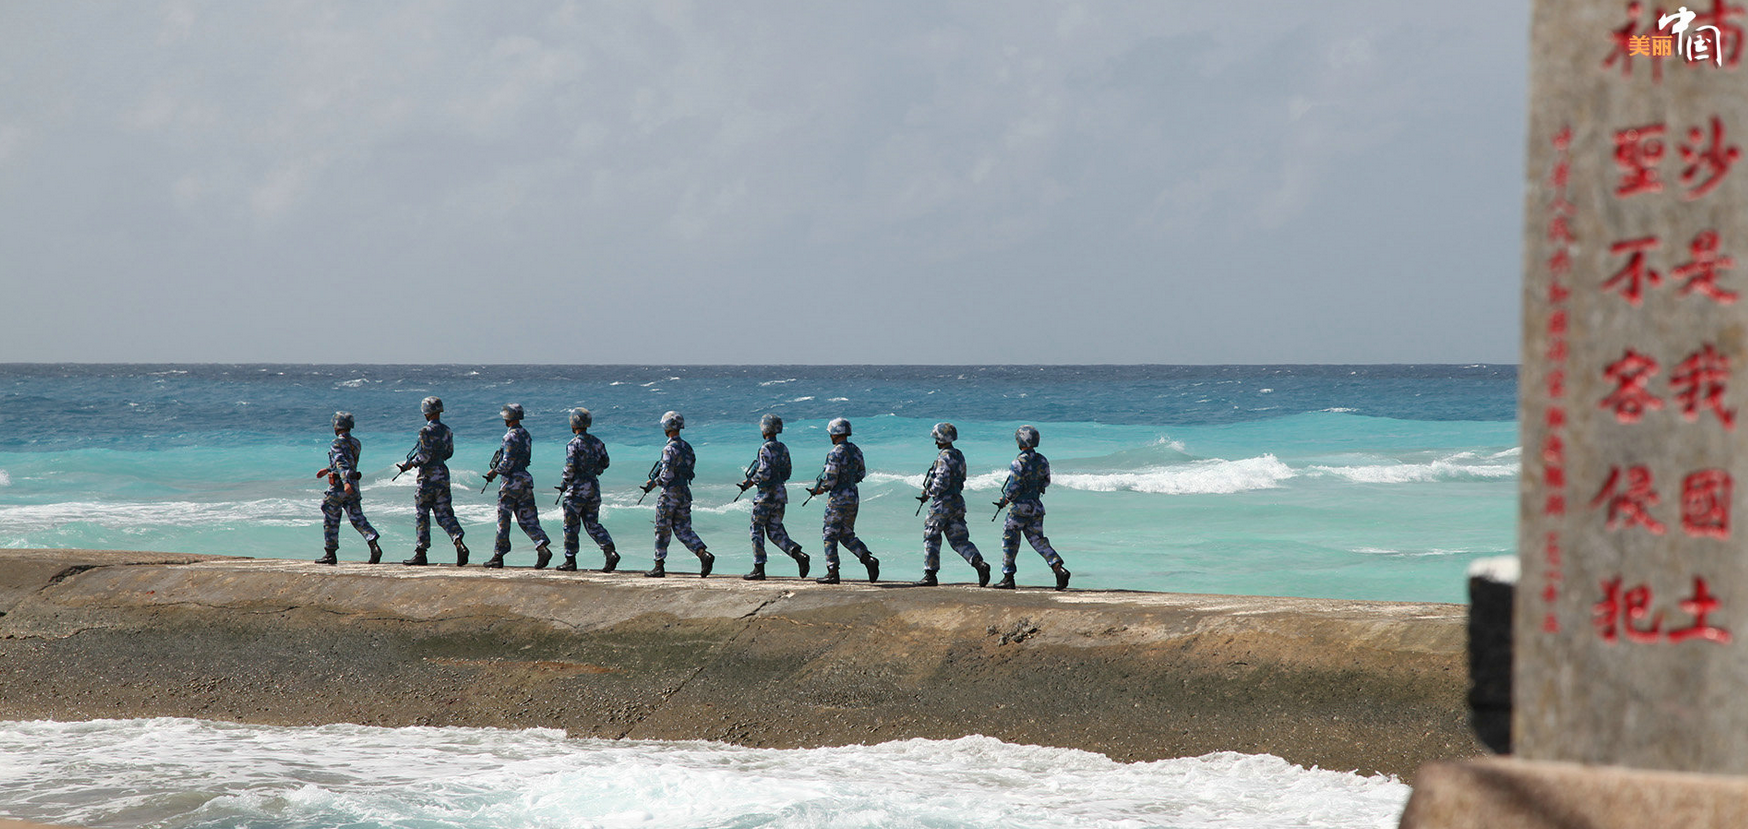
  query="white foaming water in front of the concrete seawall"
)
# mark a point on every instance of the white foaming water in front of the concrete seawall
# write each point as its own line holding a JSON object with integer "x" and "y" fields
{"x": 188, "y": 774}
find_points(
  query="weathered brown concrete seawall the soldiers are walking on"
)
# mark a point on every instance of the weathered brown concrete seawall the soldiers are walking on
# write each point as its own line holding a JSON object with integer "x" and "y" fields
{"x": 1361, "y": 686}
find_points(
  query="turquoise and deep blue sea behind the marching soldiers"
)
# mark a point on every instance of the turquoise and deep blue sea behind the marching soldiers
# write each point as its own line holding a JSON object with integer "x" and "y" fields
{"x": 1343, "y": 482}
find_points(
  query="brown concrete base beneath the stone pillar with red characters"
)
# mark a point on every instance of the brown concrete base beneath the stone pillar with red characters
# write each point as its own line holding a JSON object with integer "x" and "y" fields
{"x": 1536, "y": 795}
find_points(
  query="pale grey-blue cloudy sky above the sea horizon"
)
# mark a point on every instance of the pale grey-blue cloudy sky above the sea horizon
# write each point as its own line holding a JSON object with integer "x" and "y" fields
{"x": 761, "y": 183}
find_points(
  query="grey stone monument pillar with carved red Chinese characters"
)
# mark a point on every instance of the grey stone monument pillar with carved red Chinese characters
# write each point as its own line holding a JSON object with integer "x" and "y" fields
{"x": 1632, "y": 620}
